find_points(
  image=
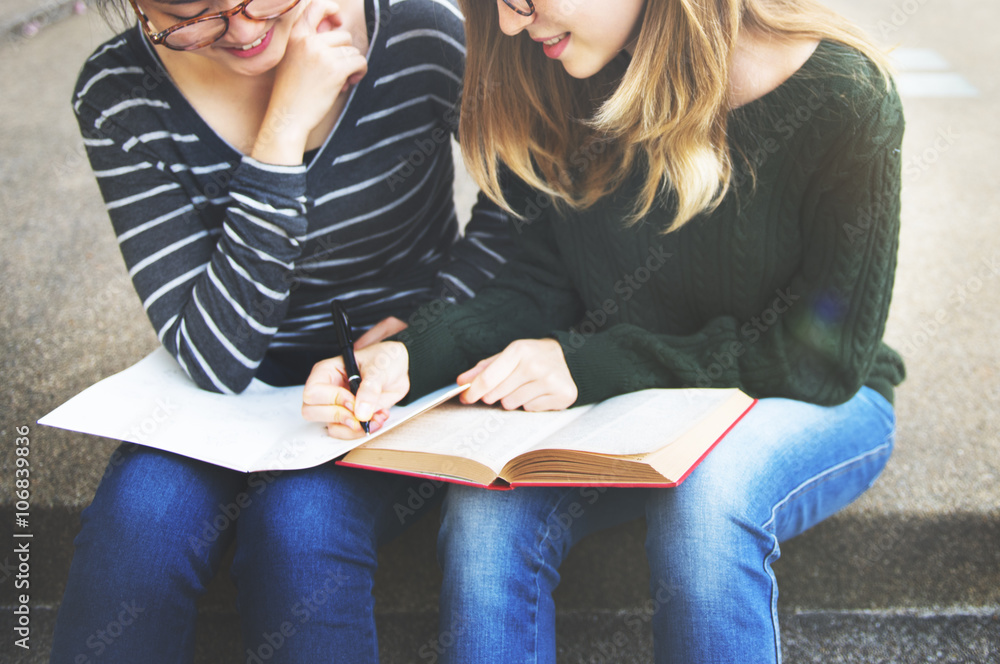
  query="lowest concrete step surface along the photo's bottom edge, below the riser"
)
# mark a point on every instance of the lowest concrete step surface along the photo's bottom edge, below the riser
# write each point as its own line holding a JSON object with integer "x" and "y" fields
{"x": 622, "y": 637}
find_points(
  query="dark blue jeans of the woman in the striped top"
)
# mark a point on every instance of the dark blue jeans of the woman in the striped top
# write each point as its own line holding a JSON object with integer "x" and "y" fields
{"x": 305, "y": 556}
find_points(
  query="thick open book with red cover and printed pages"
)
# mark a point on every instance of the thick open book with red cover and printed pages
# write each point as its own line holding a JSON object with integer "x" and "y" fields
{"x": 647, "y": 438}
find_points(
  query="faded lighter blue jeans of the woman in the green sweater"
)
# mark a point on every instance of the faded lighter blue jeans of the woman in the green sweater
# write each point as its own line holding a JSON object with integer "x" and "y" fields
{"x": 710, "y": 542}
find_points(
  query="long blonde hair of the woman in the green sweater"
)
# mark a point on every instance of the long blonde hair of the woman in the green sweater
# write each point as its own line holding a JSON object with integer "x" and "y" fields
{"x": 666, "y": 110}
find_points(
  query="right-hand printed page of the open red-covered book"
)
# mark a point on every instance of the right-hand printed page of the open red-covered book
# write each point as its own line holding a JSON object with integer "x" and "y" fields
{"x": 636, "y": 423}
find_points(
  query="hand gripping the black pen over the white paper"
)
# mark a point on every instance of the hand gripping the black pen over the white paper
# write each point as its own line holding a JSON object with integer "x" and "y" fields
{"x": 327, "y": 396}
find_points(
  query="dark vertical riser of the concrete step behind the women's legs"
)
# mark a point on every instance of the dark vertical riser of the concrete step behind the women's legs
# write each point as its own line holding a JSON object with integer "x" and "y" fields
{"x": 850, "y": 562}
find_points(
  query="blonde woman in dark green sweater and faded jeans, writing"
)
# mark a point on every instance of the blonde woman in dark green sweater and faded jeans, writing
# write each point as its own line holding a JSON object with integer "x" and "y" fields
{"x": 708, "y": 195}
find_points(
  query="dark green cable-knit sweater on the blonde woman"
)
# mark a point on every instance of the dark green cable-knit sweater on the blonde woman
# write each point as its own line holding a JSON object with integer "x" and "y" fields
{"x": 782, "y": 291}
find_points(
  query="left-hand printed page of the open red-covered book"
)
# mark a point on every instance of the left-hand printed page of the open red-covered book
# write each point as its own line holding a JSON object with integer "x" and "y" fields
{"x": 487, "y": 434}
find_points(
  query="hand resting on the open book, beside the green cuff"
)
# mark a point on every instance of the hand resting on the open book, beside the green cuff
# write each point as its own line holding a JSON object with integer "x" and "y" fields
{"x": 530, "y": 373}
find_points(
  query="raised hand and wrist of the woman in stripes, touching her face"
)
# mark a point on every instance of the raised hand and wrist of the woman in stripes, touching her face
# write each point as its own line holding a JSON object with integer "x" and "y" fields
{"x": 320, "y": 62}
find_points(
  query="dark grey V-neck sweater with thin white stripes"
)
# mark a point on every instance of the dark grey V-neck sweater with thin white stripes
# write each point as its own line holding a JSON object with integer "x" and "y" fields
{"x": 235, "y": 261}
